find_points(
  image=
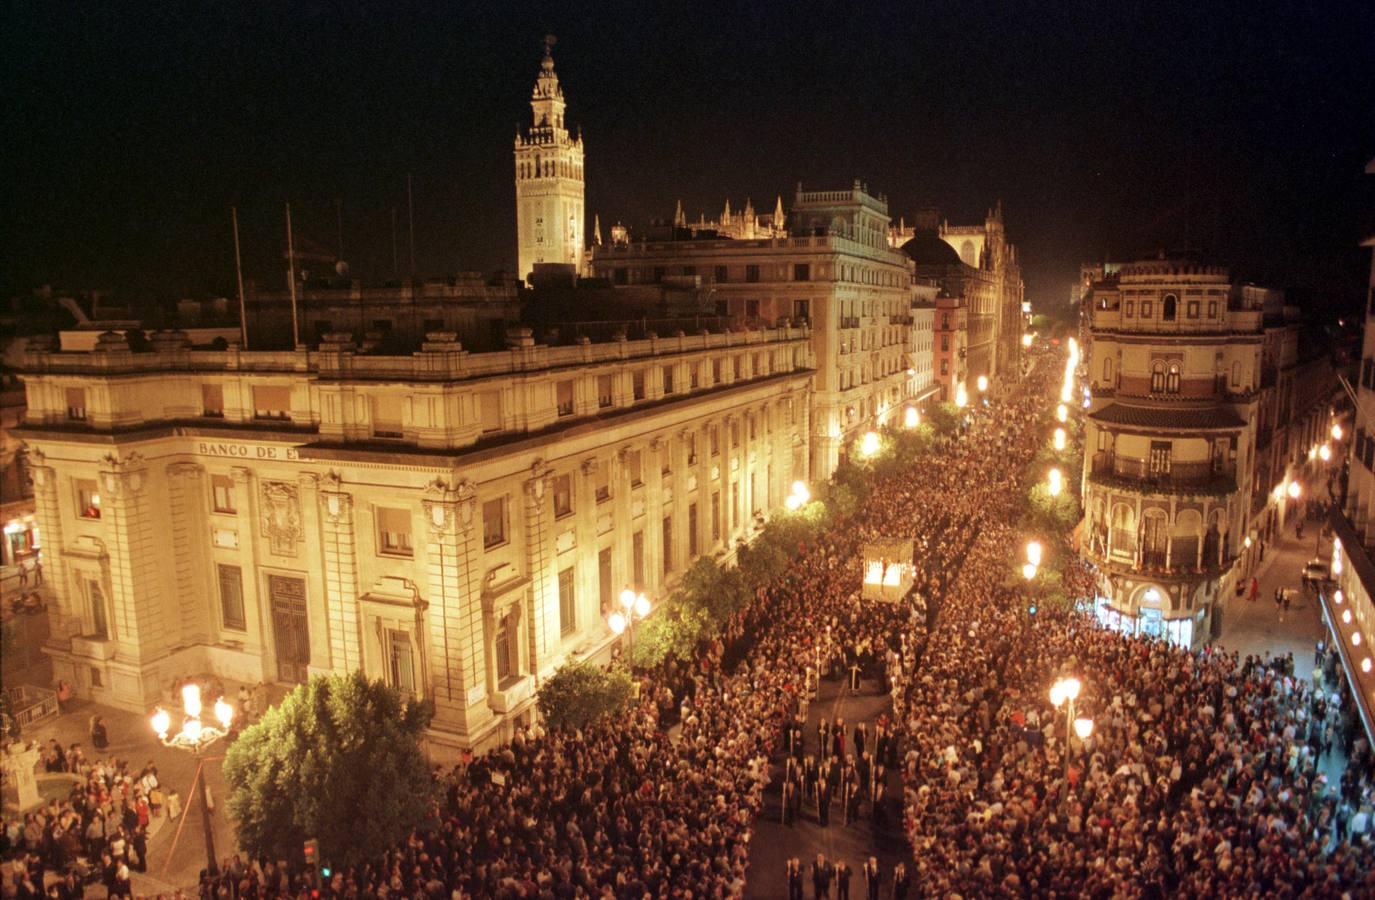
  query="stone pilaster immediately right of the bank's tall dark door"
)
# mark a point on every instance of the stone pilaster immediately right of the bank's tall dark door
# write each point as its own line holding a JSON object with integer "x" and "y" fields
{"x": 339, "y": 548}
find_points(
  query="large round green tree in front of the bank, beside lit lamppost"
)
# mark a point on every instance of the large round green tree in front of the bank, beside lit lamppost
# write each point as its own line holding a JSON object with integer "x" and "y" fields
{"x": 339, "y": 761}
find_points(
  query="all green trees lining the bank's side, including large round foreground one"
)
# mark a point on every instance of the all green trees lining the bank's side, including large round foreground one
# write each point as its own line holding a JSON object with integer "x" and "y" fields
{"x": 339, "y": 761}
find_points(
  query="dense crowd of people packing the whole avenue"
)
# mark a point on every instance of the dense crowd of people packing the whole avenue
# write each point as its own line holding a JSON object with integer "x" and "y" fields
{"x": 1202, "y": 776}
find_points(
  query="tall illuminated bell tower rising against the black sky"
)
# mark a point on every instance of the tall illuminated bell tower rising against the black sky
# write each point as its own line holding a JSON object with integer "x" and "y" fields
{"x": 549, "y": 179}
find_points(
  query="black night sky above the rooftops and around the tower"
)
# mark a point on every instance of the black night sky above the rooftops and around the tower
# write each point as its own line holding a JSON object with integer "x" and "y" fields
{"x": 1240, "y": 130}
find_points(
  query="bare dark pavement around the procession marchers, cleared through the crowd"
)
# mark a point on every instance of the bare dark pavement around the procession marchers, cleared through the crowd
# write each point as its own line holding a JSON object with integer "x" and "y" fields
{"x": 775, "y": 843}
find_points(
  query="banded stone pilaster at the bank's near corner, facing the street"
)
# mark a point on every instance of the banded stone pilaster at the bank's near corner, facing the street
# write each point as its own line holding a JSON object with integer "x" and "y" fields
{"x": 457, "y": 644}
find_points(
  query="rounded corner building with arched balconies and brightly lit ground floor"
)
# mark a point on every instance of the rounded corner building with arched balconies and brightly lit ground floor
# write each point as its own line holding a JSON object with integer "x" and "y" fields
{"x": 1174, "y": 366}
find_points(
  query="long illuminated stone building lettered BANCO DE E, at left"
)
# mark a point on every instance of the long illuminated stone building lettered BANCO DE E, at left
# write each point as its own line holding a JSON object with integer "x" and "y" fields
{"x": 454, "y": 523}
